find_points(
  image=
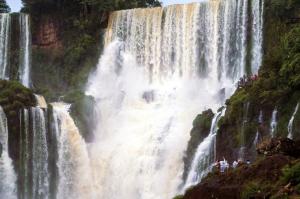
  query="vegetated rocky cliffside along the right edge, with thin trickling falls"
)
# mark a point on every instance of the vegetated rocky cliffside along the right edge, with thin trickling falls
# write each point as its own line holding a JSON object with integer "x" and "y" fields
{"x": 260, "y": 109}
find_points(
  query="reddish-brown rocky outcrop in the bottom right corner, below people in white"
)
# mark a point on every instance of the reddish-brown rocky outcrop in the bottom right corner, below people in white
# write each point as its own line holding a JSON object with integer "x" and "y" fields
{"x": 273, "y": 175}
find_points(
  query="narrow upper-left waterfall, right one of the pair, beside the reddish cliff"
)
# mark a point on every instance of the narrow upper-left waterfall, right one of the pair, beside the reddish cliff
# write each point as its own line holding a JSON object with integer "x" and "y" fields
{"x": 25, "y": 50}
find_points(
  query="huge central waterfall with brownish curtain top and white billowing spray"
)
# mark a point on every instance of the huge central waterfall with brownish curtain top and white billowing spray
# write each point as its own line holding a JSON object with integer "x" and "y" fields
{"x": 160, "y": 67}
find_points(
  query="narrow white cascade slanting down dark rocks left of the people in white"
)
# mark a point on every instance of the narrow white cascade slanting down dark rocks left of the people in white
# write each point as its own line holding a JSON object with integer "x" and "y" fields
{"x": 205, "y": 155}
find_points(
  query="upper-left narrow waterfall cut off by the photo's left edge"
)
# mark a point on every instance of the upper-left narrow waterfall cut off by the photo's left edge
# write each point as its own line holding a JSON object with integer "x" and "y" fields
{"x": 4, "y": 45}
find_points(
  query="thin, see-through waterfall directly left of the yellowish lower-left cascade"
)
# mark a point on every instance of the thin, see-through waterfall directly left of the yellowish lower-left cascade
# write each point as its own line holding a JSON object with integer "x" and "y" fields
{"x": 40, "y": 174}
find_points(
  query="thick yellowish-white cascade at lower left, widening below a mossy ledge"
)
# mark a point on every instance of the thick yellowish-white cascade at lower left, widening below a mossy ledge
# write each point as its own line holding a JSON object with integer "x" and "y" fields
{"x": 75, "y": 178}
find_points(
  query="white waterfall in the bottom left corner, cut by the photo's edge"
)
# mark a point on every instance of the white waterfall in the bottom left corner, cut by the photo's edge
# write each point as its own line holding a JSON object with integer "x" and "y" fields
{"x": 7, "y": 173}
